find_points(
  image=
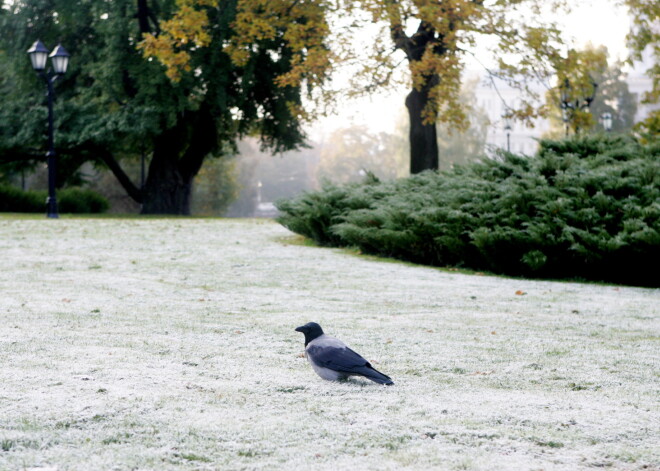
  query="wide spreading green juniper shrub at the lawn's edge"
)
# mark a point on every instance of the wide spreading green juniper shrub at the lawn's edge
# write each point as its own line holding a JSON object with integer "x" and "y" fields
{"x": 586, "y": 207}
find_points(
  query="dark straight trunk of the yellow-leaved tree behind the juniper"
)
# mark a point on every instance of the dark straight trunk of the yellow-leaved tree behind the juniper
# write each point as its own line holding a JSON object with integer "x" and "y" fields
{"x": 423, "y": 137}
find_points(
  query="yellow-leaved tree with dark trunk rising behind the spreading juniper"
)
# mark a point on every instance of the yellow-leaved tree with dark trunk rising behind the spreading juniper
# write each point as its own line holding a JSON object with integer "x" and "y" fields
{"x": 437, "y": 37}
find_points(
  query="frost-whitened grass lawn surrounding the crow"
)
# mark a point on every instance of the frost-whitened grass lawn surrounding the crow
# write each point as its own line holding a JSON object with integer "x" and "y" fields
{"x": 169, "y": 344}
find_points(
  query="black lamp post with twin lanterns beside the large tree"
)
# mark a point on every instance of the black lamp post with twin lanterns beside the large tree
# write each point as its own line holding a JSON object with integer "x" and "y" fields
{"x": 60, "y": 60}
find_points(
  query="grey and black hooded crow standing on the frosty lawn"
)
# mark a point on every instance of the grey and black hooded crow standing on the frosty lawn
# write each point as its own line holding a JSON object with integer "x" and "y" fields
{"x": 333, "y": 360}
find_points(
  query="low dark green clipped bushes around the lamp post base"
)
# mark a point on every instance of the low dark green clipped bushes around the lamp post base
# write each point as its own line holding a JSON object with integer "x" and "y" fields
{"x": 69, "y": 200}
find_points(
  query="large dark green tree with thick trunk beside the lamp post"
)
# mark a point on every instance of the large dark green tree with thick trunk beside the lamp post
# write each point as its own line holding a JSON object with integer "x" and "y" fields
{"x": 116, "y": 102}
